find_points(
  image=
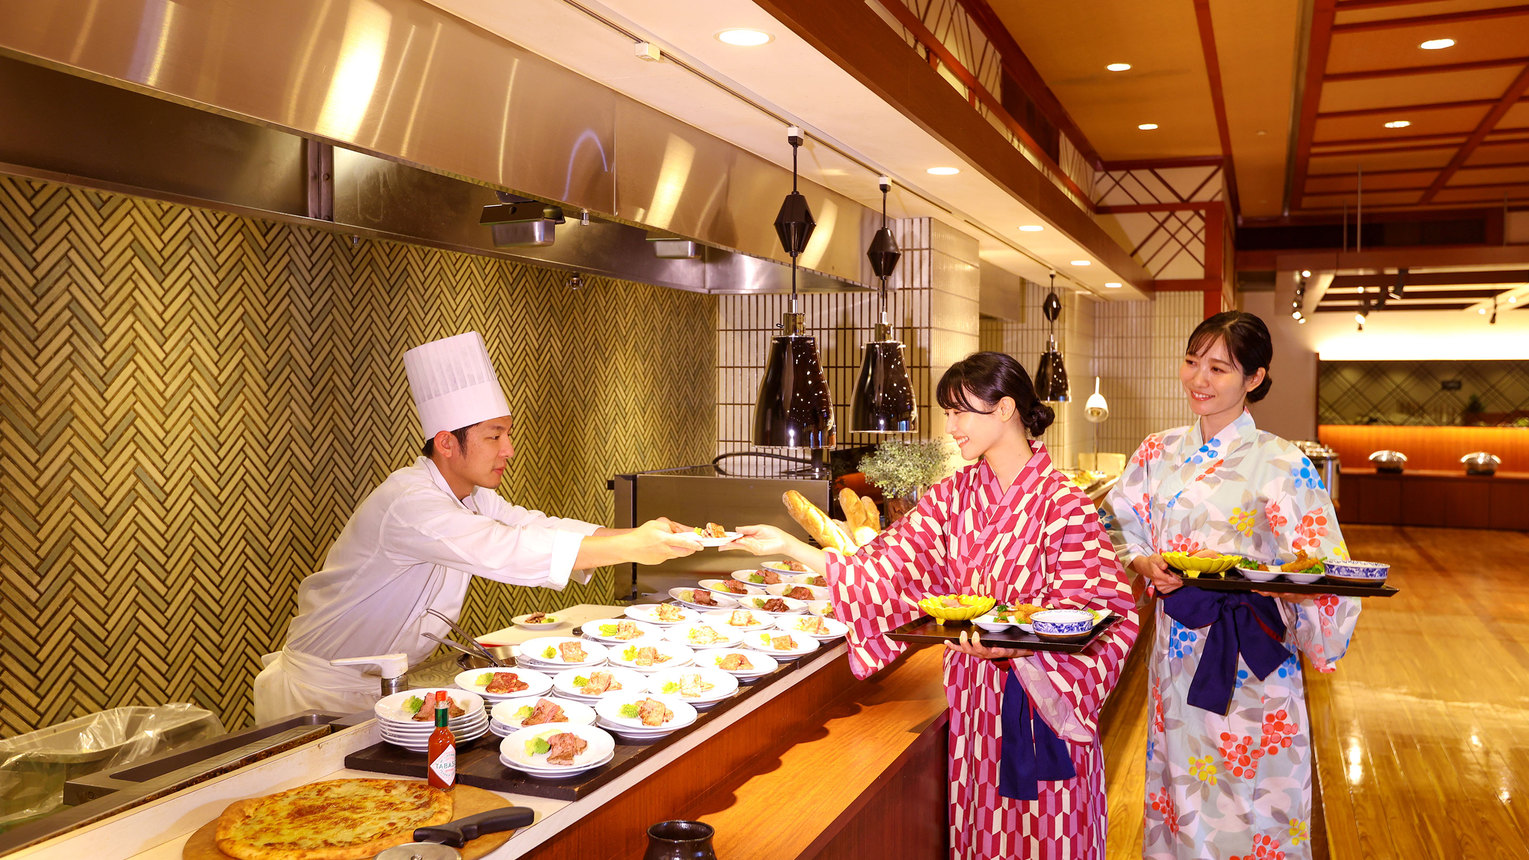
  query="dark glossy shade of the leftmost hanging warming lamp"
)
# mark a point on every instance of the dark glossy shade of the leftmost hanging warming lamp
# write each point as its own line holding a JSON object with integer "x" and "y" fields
{"x": 794, "y": 409}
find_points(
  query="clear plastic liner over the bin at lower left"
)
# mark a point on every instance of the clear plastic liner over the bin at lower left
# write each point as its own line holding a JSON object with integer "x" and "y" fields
{"x": 36, "y": 766}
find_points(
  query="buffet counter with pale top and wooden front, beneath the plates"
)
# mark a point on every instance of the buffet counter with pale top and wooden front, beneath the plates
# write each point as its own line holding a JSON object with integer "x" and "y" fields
{"x": 810, "y": 764}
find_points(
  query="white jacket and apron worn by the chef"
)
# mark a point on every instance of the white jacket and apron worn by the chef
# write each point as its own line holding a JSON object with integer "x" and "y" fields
{"x": 409, "y": 547}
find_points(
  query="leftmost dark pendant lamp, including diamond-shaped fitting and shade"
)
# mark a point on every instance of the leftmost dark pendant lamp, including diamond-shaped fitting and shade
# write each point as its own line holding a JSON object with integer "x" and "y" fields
{"x": 794, "y": 409}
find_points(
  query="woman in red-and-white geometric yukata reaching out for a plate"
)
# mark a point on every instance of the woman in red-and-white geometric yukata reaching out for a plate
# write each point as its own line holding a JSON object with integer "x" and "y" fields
{"x": 1027, "y": 772}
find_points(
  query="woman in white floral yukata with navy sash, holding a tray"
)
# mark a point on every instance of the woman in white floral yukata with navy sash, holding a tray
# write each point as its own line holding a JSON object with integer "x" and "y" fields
{"x": 1229, "y": 746}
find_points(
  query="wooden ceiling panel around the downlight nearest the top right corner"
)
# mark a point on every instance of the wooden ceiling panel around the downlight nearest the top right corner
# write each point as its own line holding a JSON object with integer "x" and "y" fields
{"x": 1397, "y": 47}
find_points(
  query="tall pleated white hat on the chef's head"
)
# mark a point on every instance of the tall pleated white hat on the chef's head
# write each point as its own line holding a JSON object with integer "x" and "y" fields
{"x": 453, "y": 383}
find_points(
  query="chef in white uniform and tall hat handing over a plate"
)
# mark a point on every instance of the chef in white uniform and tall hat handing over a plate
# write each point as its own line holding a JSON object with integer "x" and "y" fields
{"x": 418, "y": 539}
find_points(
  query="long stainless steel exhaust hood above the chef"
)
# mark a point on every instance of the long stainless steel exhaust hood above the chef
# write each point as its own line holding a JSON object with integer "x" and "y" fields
{"x": 443, "y": 117}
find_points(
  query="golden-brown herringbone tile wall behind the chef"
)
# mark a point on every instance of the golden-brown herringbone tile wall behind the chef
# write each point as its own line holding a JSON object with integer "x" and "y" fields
{"x": 195, "y": 402}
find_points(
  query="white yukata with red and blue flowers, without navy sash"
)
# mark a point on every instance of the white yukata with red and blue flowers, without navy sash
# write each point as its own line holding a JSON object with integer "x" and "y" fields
{"x": 1235, "y": 786}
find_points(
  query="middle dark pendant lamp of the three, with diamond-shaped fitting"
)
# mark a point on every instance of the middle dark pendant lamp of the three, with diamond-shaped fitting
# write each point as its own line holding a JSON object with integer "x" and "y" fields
{"x": 883, "y": 400}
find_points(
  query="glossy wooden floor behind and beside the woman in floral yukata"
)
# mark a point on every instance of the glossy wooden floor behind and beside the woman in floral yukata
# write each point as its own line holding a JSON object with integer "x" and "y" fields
{"x": 1423, "y": 734}
